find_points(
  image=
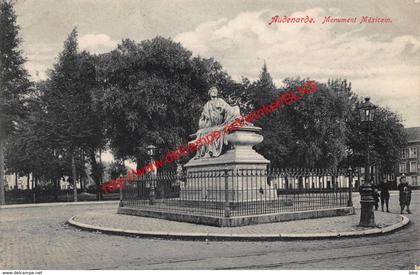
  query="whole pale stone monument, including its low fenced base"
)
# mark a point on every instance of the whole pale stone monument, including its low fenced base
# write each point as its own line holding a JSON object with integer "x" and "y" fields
{"x": 227, "y": 182}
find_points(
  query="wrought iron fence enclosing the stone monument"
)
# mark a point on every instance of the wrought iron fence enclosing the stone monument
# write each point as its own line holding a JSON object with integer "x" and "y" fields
{"x": 239, "y": 192}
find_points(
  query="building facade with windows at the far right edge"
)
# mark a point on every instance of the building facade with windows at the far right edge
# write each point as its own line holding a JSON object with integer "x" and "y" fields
{"x": 409, "y": 163}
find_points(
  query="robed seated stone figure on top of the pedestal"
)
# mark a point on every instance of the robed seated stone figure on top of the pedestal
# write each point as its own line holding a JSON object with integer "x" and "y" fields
{"x": 216, "y": 114}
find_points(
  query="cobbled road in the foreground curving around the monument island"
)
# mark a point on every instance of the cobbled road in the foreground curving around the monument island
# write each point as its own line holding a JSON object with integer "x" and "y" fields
{"x": 38, "y": 238}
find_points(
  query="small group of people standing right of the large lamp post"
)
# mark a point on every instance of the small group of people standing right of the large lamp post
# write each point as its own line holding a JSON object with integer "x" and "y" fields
{"x": 382, "y": 191}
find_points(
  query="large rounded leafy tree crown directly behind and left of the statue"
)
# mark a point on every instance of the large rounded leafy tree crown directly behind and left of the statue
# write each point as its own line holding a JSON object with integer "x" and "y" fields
{"x": 154, "y": 94}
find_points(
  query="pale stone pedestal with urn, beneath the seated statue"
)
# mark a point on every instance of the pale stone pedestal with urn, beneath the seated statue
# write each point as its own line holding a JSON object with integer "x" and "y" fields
{"x": 239, "y": 175}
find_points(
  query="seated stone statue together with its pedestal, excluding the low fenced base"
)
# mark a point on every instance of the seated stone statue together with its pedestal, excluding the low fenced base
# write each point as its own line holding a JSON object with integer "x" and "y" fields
{"x": 232, "y": 152}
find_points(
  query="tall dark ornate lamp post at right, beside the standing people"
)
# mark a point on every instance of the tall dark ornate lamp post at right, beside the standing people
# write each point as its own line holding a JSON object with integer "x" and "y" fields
{"x": 367, "y": 216}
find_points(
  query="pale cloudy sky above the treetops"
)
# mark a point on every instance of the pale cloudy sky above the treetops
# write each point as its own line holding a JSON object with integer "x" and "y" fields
{"x": 381, "y": 60}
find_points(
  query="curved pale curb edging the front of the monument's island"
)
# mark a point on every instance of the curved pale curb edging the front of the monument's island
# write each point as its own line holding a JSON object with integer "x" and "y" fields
{"x": 240, "y": 237}
